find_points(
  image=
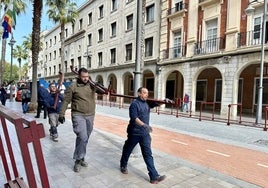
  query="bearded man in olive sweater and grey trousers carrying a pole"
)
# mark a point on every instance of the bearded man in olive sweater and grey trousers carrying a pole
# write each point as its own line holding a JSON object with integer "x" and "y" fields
{"x": 82, "y": 98}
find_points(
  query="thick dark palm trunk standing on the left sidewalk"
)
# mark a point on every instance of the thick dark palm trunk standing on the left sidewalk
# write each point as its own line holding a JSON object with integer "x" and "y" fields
{"x": 37, "y": 13}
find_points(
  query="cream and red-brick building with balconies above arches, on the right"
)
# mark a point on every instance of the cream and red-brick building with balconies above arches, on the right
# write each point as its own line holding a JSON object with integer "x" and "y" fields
{"x": 211, "y": 50}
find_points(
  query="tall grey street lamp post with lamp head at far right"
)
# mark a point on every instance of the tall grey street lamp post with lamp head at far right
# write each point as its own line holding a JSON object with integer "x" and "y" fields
{"x": 248, "y": 11}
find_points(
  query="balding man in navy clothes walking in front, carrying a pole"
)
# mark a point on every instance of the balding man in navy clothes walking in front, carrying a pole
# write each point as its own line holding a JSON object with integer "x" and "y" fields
{"x": 139, "y": 132}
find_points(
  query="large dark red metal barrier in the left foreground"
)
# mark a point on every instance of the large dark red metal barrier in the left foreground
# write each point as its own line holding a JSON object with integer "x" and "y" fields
{"x": 27, "y": 132}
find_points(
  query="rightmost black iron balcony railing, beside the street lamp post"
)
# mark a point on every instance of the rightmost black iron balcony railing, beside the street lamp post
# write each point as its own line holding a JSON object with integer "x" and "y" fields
{"x": 249, "y": 38}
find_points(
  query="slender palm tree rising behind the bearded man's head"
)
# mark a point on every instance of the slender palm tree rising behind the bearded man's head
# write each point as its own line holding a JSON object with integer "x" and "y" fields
{"x": 63, "y": 12}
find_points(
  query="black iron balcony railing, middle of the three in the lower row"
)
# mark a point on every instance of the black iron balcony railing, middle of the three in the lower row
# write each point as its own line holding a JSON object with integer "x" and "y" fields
{"x": 209, "y": 46}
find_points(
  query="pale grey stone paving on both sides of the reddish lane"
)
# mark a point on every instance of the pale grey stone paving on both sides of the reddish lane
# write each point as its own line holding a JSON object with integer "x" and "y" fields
{"x": 104, "y": 152}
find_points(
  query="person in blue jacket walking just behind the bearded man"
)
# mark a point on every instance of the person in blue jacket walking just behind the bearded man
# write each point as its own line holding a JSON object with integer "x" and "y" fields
{"x": 53, "y": 110}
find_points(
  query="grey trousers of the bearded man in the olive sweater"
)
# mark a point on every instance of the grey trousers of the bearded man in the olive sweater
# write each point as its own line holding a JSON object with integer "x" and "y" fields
{"x": 82, "y": 127}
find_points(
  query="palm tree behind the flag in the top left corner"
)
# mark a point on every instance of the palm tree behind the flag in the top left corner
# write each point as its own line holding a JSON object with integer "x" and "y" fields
{"x": 19, "y": 7}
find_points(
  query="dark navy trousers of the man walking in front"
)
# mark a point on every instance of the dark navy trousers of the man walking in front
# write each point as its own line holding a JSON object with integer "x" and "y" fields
{"x": 145, "y": 145}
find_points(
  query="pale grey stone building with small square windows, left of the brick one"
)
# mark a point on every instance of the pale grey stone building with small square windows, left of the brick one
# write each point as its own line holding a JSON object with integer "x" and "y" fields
{"x": 103, "y": 40}
